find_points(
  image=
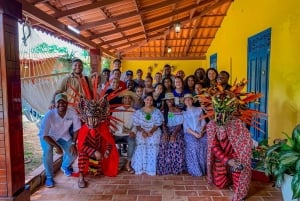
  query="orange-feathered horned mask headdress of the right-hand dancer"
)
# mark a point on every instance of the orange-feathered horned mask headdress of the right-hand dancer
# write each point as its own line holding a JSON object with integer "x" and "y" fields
{"x": 222, "y": 105}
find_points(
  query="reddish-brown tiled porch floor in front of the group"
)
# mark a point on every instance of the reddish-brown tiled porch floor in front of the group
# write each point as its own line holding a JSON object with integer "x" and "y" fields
{"x": 126, "y": 187}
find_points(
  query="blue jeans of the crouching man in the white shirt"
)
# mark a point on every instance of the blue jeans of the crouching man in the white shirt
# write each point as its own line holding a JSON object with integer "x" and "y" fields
{"x": 68, "y": 158}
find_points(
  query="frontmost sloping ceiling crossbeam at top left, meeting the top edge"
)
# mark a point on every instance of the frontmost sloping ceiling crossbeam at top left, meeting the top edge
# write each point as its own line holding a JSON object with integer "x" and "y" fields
{"x": 93, "y": 5}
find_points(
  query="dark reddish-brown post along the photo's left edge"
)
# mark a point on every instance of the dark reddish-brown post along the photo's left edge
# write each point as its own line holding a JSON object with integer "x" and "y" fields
{"x": 12, "y": 171}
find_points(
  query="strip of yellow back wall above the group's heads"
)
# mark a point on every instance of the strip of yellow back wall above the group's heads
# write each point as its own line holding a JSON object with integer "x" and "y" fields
{"x": 189, "y": 66}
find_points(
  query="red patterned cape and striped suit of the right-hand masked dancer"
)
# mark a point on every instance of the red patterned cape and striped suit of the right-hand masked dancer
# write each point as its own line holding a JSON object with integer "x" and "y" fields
{"x": 231, "y": 140}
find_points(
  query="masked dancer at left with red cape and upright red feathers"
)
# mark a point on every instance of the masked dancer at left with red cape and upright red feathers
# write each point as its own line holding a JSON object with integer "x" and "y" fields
{"x": 96, "y": 146}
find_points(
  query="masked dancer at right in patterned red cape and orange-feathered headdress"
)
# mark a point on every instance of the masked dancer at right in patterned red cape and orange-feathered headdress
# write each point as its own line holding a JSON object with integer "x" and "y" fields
{"x": 229, "y": 141}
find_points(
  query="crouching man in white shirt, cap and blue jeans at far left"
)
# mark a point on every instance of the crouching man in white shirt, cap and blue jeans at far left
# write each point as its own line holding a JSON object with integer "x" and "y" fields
{"x": 55, "y": 133}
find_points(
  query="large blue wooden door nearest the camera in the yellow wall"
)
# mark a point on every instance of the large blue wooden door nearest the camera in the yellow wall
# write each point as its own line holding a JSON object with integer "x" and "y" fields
{"x": 258, "y": 77}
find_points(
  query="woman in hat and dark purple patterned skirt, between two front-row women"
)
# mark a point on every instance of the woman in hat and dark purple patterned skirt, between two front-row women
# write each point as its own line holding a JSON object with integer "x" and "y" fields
{"x": 171, "y": 148}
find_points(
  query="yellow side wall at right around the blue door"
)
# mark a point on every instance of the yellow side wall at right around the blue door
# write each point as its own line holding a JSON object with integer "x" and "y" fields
{"x": 249, "y": 17}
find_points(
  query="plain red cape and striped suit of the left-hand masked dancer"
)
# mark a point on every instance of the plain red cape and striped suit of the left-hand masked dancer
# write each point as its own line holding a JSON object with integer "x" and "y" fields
{"x": 90, "y": 140}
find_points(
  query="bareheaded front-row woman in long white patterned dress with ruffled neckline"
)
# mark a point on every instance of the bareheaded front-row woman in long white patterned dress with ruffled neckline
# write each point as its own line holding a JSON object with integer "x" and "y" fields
{"x": 147, "y": 120}
